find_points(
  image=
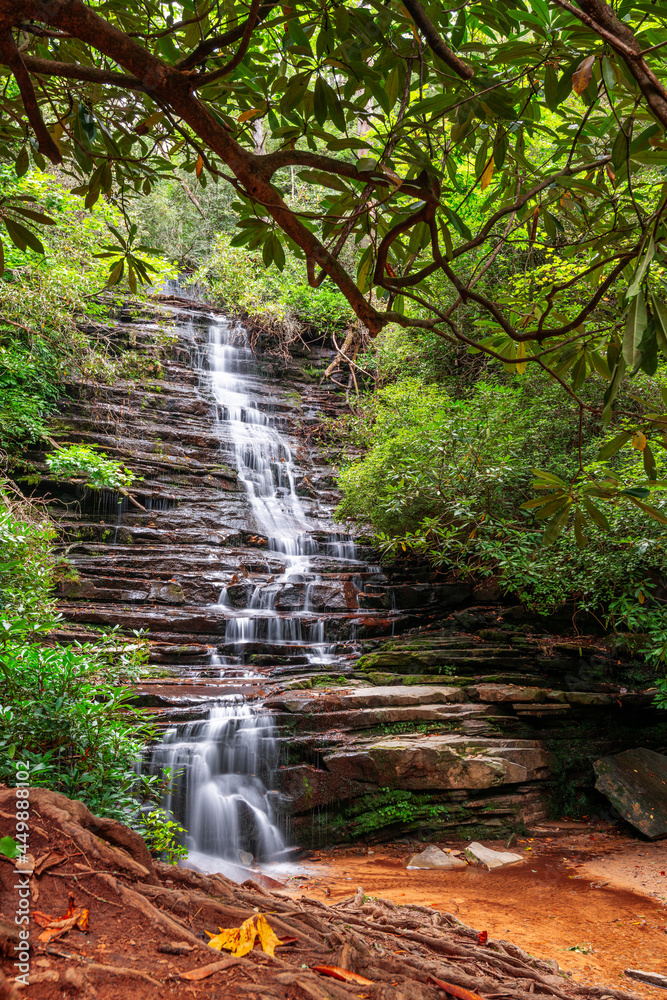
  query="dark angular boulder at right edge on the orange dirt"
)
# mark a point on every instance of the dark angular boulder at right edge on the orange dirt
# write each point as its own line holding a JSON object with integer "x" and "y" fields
{"x": 635, "y": 782}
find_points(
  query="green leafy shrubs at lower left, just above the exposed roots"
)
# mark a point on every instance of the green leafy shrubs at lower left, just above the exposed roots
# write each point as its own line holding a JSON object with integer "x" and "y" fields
{"x": 63, "y": 709}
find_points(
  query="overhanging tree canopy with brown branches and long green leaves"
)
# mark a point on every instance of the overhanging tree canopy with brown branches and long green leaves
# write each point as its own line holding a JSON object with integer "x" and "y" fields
{"x": 436, "y": 140}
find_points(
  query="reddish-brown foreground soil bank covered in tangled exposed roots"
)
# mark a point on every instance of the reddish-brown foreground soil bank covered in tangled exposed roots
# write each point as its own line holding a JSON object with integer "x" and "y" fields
{"x": 145, "y": 936}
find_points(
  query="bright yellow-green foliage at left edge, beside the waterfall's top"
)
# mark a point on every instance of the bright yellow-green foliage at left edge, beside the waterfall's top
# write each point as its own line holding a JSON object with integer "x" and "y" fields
{"x": 50, "y": 309}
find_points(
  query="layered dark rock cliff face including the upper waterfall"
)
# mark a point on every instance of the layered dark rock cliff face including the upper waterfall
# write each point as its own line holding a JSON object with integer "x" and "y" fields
{"x": 461, "y": 712}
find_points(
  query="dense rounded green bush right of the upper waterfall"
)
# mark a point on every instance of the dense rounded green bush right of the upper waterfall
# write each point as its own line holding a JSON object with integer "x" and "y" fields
{"x": 443, "y": 477}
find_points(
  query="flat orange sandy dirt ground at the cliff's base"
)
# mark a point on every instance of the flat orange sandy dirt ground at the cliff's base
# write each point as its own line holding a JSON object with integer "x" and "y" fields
{"x": 592, "y": 898}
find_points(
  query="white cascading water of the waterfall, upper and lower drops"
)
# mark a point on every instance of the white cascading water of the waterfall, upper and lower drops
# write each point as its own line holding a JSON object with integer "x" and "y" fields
{"x": 222, "y": 767}
